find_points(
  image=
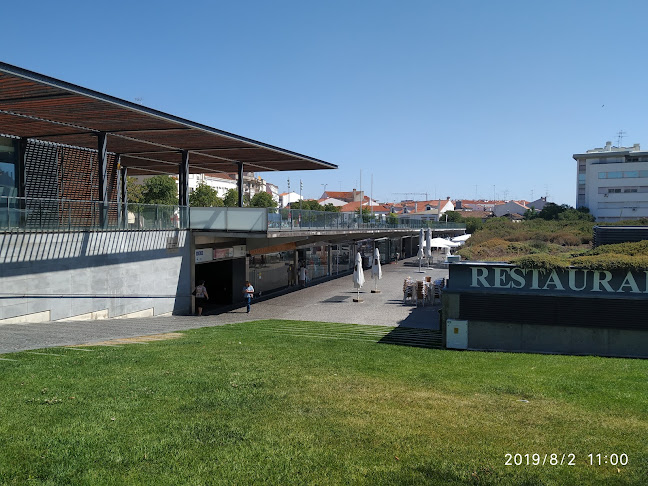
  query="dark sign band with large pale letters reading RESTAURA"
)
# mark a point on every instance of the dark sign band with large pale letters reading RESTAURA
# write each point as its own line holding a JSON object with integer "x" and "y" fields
{"x": 503, "y": 277}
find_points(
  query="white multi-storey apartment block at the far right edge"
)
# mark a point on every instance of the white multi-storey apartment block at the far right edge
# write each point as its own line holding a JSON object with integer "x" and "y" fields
{"x": 613, "y": 182}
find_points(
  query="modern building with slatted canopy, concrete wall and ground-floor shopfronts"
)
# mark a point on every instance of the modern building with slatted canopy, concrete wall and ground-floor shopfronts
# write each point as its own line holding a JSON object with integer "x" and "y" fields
{"x": 68, "y": 248}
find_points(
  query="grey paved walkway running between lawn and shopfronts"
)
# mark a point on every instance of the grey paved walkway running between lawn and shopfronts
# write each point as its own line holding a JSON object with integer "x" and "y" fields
{"x": 330, "y": 301}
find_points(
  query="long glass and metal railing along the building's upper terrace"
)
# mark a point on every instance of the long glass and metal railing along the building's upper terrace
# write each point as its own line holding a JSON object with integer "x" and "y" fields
{"x": 32, "y": 214}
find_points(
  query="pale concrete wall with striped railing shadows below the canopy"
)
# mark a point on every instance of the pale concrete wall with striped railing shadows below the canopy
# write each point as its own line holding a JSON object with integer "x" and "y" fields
{"x": 52, "y": 276}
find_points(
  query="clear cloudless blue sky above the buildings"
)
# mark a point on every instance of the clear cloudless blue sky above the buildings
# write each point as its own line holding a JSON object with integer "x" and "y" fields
{"x": 464, "y": 98}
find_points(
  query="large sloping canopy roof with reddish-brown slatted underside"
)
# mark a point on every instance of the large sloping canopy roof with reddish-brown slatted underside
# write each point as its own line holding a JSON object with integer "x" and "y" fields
{"x": 149, "y": 141}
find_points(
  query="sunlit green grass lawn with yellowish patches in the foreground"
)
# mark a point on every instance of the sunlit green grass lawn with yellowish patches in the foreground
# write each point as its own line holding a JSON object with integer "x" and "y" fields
{"x": 315, "y": 403}
